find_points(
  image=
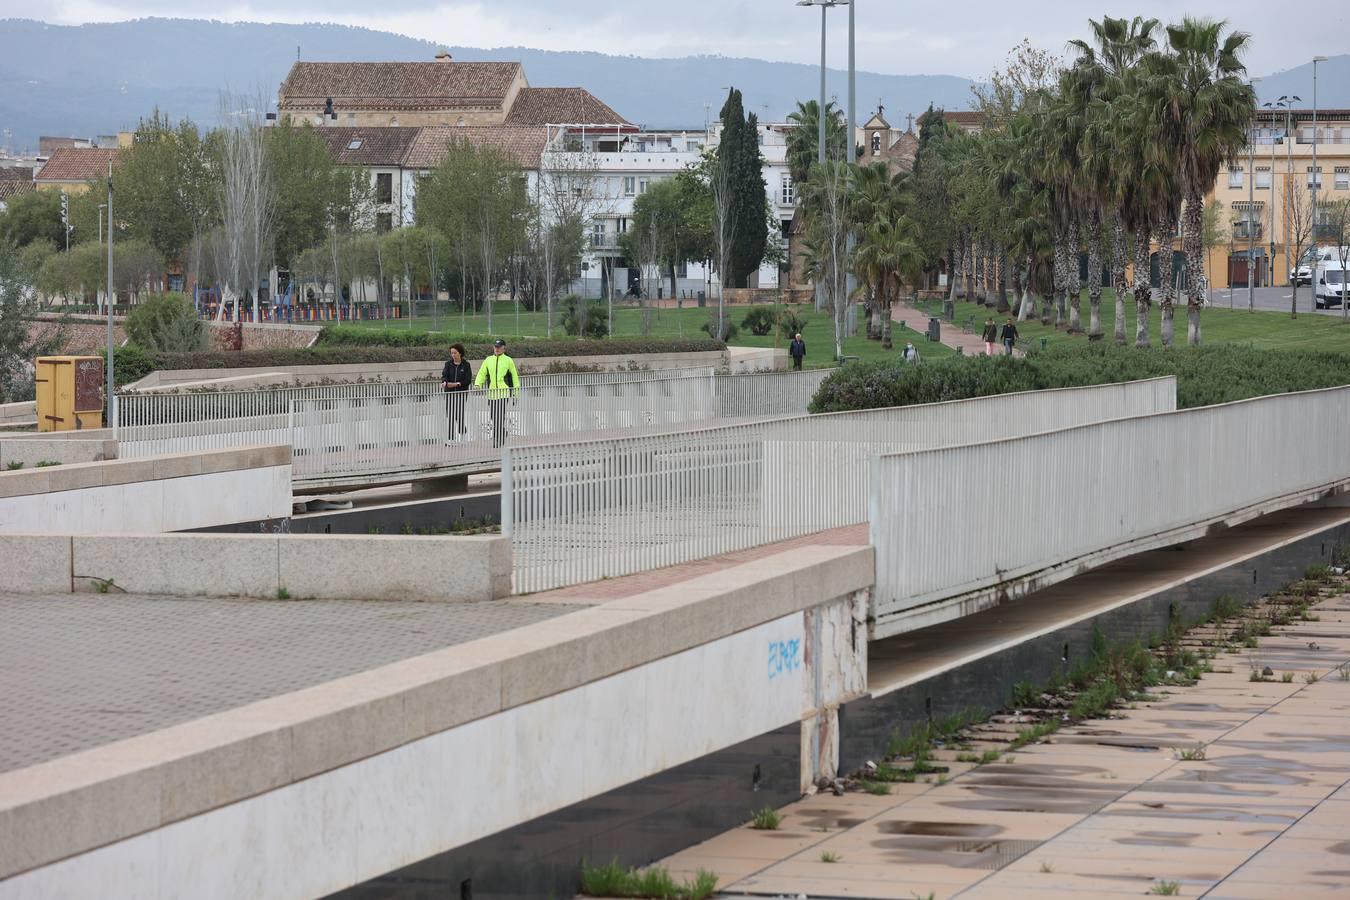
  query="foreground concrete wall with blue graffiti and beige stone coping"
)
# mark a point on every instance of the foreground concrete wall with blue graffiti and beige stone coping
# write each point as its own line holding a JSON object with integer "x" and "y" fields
{"x": 319, "y": 790}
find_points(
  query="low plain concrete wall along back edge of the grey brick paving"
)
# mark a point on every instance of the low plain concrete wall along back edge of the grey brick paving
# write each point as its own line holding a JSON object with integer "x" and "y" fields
{"x": 342, "y": 567}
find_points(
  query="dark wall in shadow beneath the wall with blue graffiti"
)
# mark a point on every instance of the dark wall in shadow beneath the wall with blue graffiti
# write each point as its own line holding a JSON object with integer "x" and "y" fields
{"x": 637, "y": 825}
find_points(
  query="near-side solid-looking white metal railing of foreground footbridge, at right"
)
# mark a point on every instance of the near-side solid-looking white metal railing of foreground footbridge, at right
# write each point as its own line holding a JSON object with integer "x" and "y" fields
{"x": 950, "y": 522}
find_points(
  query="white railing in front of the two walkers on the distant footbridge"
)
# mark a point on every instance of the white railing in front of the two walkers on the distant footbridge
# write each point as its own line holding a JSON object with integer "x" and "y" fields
{"x": 365, "y": 437}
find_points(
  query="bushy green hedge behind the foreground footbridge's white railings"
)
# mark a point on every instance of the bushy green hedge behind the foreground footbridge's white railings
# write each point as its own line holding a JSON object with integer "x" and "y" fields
{"x": 1205, "y": 376}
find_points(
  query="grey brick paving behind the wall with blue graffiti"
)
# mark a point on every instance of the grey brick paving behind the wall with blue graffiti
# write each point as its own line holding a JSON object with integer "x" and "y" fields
{"x": 79, "y": 671}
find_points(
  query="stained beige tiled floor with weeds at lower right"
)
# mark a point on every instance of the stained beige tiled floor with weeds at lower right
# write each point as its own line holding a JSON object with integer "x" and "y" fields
{"x": 1105, "y": 809}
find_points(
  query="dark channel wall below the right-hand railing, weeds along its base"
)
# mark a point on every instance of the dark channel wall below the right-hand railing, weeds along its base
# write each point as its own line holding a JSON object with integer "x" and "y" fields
{"x": 986, "y": 685}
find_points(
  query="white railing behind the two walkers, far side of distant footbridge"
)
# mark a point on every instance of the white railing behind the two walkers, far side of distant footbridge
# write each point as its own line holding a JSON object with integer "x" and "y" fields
{"x": 173, "y": 423}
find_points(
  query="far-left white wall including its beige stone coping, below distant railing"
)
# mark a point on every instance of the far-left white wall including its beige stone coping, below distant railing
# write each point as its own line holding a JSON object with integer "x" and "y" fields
{"x": 148, "y": 496}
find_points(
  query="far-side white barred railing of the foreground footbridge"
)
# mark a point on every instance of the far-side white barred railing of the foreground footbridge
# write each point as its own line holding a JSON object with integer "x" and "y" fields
{"x": 611, "y": 507}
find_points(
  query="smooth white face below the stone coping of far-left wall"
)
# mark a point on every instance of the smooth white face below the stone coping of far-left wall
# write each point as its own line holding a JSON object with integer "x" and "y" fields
{"x": 153, "y": 507}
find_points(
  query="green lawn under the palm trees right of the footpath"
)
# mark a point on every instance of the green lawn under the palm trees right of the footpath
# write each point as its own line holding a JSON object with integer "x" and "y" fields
{"x": 1263, "y": 330}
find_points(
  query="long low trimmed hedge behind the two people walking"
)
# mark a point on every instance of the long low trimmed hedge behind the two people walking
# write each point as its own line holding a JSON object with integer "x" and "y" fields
{"x": 337, "y": 356}
